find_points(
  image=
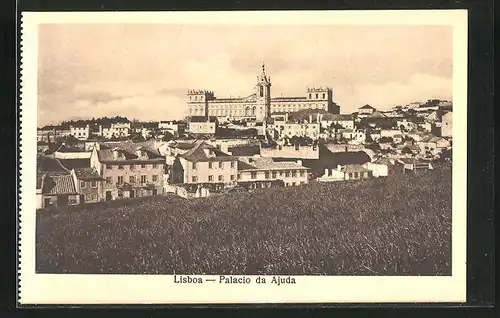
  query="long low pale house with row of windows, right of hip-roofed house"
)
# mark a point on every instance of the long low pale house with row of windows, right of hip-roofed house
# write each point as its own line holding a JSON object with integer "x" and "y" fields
{"x": 265, "y": 172}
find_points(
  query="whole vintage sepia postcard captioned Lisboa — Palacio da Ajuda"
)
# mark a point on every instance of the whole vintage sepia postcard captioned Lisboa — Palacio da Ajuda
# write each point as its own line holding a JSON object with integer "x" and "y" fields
{"x": 243, "y": 157}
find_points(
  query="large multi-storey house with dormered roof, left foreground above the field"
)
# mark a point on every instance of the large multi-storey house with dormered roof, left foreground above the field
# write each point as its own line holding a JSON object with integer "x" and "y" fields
{"x": 129, "y": 169}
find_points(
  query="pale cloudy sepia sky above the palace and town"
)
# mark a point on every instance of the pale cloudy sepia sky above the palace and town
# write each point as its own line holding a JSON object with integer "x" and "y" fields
{"x": 144, "y": 71}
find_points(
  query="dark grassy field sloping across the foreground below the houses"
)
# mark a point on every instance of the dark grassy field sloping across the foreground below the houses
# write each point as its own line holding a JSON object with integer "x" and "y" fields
{"x": 400, "y": 225}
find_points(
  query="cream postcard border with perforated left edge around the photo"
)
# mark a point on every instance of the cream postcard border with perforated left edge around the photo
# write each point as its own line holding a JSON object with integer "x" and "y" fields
{"x": 160, "y": 289}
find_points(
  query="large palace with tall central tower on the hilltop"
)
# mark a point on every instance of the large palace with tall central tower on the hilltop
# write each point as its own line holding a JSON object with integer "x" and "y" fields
{"x": 260, "y": 104}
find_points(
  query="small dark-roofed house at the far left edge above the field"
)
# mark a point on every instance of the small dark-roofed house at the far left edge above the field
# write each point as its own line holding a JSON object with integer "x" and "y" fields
{"x": 59, "y": 190}
